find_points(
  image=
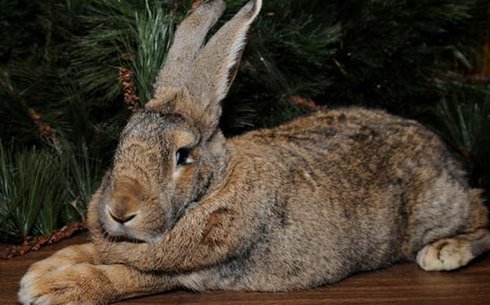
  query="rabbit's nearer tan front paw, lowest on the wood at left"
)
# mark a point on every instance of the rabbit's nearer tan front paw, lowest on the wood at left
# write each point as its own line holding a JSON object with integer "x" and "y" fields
{"x": 70, "y": 284}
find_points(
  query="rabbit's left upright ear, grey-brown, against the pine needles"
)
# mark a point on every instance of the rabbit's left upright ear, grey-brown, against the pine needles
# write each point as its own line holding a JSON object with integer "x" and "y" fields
{"x": 188, "y": 41}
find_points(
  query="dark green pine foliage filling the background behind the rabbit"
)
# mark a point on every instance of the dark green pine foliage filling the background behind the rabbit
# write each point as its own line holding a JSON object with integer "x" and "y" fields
{"x": 71, "y": 73}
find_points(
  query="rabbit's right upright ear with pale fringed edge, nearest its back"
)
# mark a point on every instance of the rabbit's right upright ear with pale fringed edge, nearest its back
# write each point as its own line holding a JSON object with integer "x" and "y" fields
{"x": 216, "y": 64}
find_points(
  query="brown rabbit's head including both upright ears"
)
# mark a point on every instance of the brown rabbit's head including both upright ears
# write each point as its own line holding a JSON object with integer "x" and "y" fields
{"x": 172, "y": 152}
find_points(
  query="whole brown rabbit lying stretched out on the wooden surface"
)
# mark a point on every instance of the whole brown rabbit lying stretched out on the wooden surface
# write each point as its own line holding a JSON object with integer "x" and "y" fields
{"x": 304, "y": 204}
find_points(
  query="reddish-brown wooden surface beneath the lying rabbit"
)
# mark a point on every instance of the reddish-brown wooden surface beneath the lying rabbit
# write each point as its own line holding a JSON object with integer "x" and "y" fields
{"x": 401, "y": 284}
